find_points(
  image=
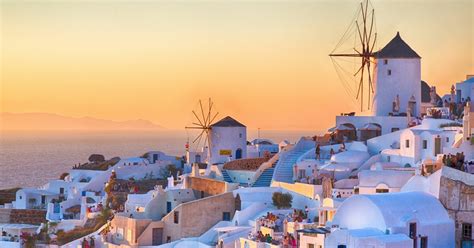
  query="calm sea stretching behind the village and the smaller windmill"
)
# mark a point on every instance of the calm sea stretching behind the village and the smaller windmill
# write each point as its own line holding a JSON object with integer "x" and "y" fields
{"x": 32, "y": 158}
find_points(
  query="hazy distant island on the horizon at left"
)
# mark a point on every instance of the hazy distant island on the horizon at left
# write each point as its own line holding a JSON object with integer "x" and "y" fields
{"x": 48, "y": 121}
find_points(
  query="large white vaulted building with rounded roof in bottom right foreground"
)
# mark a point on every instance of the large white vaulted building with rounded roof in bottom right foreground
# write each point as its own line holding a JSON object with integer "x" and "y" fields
{"x": 413, "y": 219}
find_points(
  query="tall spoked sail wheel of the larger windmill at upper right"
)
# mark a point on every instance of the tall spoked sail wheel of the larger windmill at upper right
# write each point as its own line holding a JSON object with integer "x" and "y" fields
{"x": 363, "y": 30}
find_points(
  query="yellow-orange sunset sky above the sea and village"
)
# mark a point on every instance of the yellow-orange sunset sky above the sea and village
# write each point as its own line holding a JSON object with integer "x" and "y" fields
{"x": 263, "y": 62}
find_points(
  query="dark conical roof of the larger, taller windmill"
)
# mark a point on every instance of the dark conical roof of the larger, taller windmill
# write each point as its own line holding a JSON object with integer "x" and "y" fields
{"x": 397, "y": 48}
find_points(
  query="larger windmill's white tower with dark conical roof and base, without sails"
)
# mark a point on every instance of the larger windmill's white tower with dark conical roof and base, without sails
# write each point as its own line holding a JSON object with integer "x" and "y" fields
{"x": 397, "y": 95}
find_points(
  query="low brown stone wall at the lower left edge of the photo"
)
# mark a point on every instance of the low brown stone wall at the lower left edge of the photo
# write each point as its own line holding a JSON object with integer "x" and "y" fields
{"x": 23, "y": 216}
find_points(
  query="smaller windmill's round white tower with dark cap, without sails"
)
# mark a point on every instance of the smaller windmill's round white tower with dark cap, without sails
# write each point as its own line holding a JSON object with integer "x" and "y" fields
{"x": 228, "y": 140}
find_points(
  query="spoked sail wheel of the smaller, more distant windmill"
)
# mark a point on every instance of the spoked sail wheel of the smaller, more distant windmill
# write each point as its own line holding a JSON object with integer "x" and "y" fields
{"x": 202, "y": 121}
